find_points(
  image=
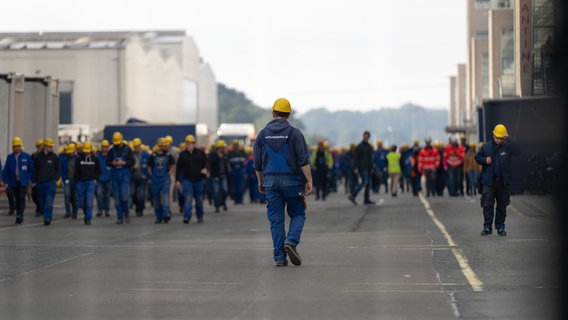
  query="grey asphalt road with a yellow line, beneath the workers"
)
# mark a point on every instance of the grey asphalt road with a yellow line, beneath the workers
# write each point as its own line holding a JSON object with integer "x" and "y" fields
{"x": 404, "y": 258}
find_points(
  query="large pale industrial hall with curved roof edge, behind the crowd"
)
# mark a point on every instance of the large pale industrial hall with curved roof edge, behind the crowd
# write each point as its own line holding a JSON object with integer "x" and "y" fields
{"x": 109, "y": 77}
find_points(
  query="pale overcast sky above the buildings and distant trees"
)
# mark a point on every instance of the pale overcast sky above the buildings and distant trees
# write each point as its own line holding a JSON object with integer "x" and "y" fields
{"x": 344, "y": 55}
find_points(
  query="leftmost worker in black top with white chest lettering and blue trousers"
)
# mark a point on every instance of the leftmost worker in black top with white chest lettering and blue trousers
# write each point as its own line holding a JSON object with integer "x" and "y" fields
{"x": 87, "y": 171}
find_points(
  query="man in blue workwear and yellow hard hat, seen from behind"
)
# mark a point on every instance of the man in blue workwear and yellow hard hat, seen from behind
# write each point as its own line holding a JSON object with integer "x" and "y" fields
{"x": 282, "y": 166}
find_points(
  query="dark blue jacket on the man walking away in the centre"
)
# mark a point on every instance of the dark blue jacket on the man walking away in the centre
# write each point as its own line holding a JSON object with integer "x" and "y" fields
{"x": 276, "y": 134}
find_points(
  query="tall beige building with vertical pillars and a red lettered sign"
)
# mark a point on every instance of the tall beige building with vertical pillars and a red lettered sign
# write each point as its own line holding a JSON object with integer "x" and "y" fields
{"x": 508, "y": 55}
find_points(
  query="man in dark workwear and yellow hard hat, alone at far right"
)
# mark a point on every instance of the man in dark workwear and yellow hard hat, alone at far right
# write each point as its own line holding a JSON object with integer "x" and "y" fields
{"x": 495, "y": 158}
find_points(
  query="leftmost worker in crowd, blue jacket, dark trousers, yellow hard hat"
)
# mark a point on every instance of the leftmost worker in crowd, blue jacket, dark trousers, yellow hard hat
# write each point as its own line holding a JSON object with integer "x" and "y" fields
{"x": 17, "y": 174}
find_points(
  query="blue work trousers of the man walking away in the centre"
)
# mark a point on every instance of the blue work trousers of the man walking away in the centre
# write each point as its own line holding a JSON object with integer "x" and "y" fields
{"x": 284, "y": 191}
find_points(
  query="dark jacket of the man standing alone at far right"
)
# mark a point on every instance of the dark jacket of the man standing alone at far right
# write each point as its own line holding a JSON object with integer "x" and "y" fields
{"x": 501, "y": 153}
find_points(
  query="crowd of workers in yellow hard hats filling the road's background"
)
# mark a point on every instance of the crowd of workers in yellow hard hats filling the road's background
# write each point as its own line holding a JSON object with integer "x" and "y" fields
{"x": 134, "y": 174}
